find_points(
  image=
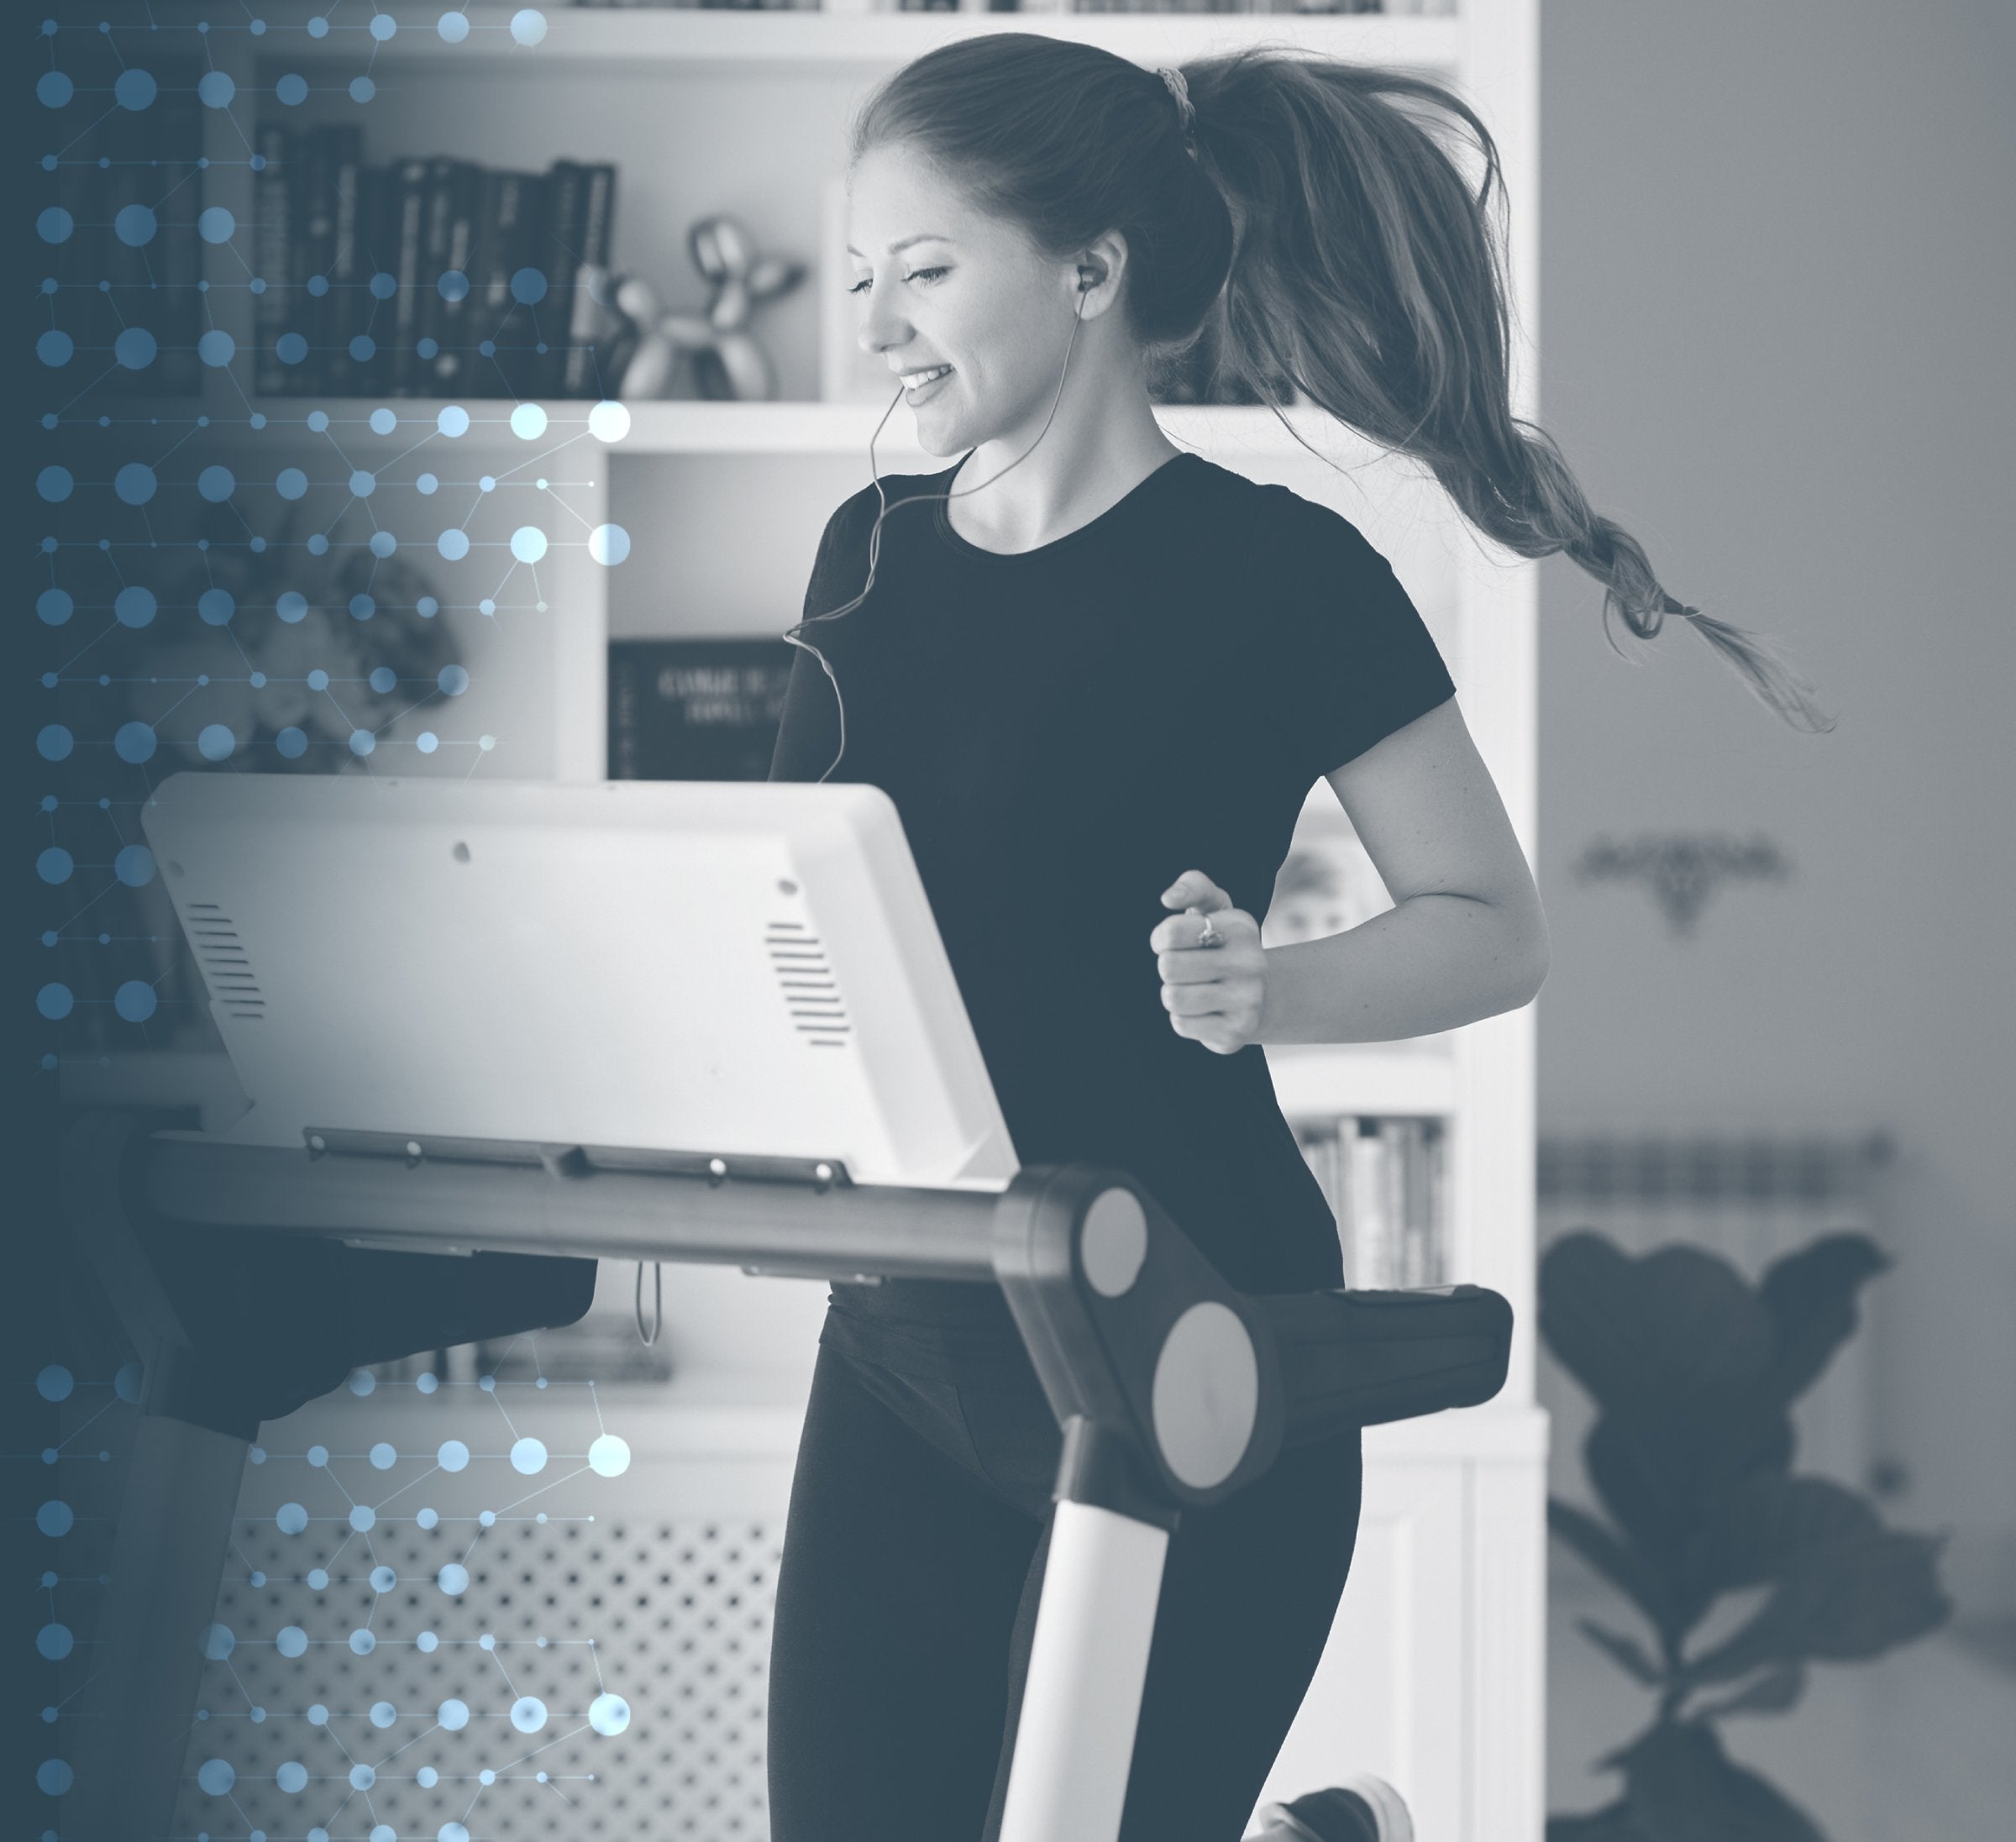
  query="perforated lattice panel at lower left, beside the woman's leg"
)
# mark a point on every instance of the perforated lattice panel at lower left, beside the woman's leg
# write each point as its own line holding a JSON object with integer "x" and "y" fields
{"x": 672, "y": 1615}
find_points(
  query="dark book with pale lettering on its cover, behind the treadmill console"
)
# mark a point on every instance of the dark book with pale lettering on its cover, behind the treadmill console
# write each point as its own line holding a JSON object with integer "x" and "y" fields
{"x": 697, "y": 708}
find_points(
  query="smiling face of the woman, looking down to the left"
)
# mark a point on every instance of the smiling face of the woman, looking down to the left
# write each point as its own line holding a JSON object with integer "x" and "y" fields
{"x": 969, "y": 293}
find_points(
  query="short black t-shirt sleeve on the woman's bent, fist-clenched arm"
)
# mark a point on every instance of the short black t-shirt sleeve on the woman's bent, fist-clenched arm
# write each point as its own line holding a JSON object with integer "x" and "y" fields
{"x": 1356, "y": 660}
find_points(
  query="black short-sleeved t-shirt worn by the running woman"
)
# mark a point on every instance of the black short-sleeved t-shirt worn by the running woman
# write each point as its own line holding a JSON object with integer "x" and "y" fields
{"x": 1065, "y": 733}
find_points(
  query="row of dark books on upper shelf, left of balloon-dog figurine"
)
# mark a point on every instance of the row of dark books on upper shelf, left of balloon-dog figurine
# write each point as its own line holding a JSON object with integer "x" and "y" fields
{"x": 430, "y": 277}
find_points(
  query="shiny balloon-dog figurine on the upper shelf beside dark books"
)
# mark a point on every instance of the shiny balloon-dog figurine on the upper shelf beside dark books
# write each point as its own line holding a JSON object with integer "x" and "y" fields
{"x": 711, "y": 352}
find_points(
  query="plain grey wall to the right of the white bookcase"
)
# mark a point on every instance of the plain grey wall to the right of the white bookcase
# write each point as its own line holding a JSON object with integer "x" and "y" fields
{"x": 1777, "y": 263}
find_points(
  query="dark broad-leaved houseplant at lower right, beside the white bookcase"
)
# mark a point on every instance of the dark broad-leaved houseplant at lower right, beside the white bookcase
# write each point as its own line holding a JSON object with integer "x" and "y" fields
{"x": 1694, "y": 1371}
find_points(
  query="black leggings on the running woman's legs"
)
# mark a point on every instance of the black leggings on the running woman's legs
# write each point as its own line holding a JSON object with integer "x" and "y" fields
{"x": 906, "y": 1605}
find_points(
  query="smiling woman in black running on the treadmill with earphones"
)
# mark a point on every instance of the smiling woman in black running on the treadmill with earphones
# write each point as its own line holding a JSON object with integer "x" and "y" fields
{"x": 1088, "y": 664}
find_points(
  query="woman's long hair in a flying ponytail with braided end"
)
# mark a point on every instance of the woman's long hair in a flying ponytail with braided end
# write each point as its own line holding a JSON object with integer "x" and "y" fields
{"x": 1319, "y": 237}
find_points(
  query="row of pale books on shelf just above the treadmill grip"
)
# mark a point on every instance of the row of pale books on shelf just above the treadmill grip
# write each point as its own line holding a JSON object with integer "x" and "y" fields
{"x": 1388, "y": 1182}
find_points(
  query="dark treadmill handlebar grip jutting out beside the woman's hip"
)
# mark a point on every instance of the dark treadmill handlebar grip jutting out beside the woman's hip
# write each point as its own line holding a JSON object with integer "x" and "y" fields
{"x": 1360, "y": 1359}
